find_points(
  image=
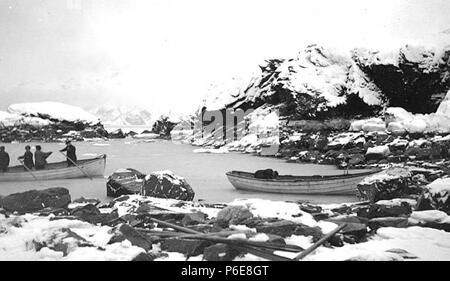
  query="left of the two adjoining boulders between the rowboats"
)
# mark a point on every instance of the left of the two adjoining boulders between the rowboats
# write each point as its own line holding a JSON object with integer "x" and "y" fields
{"x": 124, "y": 181}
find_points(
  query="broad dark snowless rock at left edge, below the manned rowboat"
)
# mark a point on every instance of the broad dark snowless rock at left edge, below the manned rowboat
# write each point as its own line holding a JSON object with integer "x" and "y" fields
{"x": 35, "y": 200}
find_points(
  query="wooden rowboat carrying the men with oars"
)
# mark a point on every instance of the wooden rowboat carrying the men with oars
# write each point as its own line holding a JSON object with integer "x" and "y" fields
{"x": 93, "y": 167}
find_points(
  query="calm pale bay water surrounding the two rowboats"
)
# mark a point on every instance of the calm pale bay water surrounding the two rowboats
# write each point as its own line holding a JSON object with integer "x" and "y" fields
{"x": 204, "y": 172}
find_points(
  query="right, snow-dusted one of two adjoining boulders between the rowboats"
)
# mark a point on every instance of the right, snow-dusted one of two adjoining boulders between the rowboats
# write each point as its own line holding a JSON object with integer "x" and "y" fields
{"x": 165, "y": 184}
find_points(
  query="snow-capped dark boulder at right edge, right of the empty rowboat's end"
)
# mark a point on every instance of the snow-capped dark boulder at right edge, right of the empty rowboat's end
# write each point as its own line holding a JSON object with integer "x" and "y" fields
{"x": 436, "y": 196}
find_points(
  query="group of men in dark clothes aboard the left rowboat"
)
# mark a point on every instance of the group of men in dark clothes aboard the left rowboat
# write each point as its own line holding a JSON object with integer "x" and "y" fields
{"x": 40, "y": 157}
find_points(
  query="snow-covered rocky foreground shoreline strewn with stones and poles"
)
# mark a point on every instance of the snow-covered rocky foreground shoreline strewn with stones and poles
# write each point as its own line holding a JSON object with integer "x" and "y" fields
{"x": 386, "y": 230}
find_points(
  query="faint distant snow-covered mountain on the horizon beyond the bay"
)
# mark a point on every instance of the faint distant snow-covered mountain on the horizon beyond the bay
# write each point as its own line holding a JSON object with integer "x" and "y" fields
{"x": 111, "y": 115}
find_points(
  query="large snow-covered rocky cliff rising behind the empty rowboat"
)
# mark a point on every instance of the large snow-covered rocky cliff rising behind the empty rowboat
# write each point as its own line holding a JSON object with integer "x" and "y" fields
{"x": 357, "y": 83}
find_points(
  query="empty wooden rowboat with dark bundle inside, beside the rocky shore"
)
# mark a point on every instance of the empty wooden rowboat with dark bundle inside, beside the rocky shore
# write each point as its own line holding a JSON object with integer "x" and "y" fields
{"x": 324, "y": 185}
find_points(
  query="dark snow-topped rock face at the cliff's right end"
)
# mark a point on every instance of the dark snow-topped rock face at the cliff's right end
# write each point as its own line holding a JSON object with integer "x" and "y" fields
{"x": 413, "y": 78}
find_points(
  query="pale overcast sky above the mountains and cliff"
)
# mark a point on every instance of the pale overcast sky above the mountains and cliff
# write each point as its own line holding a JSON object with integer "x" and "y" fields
{"x": 164, "y": 54}
